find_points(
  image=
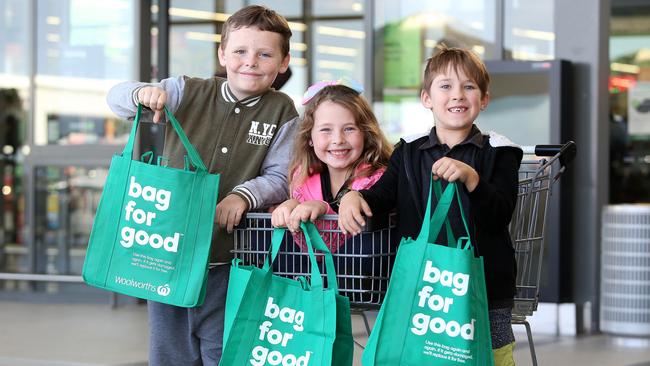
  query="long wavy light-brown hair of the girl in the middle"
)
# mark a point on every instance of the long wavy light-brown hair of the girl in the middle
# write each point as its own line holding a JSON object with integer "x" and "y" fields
{"x": 376, "y": 148}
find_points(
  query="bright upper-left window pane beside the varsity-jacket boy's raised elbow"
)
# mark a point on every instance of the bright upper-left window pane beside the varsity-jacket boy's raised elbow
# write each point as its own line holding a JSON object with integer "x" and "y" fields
{"x": 83, "y": 48}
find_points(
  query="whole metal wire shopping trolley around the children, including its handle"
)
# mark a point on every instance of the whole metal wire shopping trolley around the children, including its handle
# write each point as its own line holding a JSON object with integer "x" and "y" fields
{"x": 363, "y": 262}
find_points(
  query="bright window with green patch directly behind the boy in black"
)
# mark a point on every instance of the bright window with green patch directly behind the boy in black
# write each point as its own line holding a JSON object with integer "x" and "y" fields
{"x": 406, "y": 35}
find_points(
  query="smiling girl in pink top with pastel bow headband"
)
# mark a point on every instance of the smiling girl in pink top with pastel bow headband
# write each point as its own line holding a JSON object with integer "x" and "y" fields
{"x": 339, "y": 147}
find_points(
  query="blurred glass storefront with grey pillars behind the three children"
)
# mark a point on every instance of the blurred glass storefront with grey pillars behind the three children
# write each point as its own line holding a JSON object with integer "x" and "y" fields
{"x": 556, "y": 66}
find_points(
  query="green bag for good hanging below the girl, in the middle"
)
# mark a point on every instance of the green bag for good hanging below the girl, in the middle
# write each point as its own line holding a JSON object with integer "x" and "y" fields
{"x": 276, "y": 320}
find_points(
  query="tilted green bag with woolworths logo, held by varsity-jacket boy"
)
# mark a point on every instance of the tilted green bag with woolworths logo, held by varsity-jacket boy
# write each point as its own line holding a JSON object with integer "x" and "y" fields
{"x": 152, "y": 232}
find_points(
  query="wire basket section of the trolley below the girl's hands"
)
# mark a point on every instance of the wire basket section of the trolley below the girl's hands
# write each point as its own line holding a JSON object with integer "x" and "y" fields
{"x": 363, "y": 262}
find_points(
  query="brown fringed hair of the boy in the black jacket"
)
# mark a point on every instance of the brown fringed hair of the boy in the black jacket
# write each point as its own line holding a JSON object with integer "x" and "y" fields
{"x": 458, "y": 59}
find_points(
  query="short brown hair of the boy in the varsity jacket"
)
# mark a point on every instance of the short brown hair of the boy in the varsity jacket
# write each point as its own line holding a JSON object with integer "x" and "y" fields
{"x": 259, "y": 17}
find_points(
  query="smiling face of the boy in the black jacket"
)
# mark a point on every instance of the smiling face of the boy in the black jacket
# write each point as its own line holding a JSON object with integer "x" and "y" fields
{"x": 454, "y": 99}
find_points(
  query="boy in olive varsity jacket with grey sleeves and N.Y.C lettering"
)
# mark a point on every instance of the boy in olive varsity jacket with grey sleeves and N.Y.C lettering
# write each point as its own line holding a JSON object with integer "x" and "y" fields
{"x": 244, "y": 131}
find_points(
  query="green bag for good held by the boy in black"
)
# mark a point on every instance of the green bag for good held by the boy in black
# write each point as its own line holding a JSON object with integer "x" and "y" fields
{"x": 435, "y": 310}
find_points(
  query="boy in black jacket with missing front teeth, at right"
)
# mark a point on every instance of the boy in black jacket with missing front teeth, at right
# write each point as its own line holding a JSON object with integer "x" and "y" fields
{"x": 455, "y": 89}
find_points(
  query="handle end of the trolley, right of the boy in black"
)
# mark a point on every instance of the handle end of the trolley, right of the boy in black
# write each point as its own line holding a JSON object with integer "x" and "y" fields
{"x": 540, "y": 169}
